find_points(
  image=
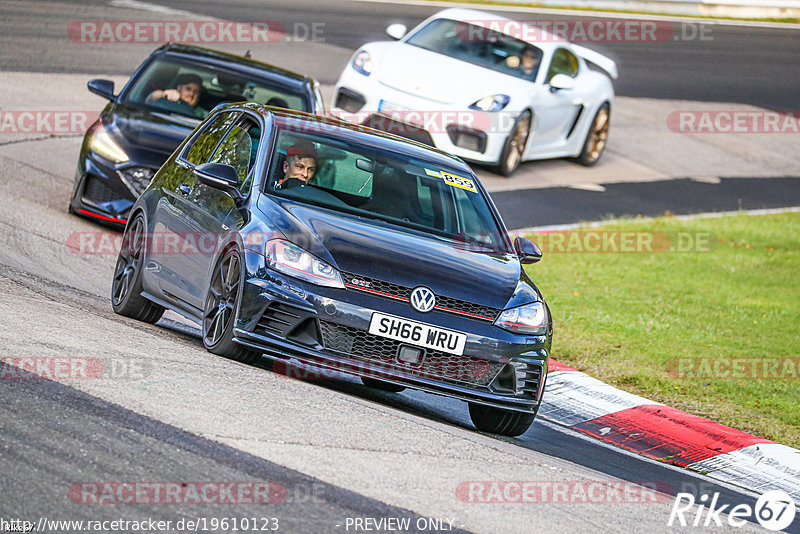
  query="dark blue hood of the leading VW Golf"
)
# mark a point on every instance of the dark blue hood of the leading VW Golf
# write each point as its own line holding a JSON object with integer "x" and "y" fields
{"x": 375, "y": 249}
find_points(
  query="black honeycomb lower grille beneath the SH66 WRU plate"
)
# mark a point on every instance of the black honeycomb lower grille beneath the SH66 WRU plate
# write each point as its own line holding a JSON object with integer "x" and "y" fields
{"x": 362, "y": 346}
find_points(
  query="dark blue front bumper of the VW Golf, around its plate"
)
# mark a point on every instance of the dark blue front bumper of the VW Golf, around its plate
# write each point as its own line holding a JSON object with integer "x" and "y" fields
{"x": 328, "y": 328}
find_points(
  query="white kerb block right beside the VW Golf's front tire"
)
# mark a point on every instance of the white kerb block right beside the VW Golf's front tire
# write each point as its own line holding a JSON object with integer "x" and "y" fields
{"x": 573, "y": 397}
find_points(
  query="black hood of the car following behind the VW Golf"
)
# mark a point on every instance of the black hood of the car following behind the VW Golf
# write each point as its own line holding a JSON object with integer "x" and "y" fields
{"x": 158, "y": 132}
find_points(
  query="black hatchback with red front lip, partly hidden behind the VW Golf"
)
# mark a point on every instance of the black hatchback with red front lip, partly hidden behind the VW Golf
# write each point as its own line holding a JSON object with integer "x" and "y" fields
{"x": 161, "y": 104}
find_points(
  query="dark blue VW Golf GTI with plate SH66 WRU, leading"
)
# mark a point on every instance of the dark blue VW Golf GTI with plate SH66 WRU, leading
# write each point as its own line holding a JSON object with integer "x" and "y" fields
{"x": 304, "y": 238}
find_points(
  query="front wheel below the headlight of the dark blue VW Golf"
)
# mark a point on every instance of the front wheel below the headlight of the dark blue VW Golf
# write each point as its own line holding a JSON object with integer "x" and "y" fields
{"x": 219, "y": 311}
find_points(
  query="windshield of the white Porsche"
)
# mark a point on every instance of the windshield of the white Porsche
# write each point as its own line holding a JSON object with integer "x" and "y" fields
{"x": 479, "y": 46}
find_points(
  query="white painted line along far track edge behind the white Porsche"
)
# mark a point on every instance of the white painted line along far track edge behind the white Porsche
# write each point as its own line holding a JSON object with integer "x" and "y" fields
{"x": 589, "y": 13}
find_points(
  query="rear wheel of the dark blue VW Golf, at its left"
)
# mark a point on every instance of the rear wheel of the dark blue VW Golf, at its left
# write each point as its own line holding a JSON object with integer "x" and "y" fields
{"x": 126, "y": 288}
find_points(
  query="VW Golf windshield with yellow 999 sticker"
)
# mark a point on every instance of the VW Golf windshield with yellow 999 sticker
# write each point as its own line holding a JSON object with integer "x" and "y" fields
{"x": 395, "y": 189}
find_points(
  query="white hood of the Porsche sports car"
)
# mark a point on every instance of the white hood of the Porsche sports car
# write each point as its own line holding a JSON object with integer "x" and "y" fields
{"x": 440, "y": 78}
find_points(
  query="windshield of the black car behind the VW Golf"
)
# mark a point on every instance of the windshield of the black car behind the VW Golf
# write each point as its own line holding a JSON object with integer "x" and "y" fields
{"x": 192, "y": 89}
